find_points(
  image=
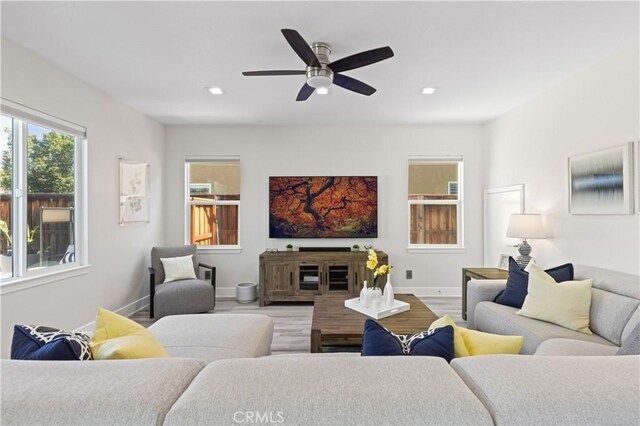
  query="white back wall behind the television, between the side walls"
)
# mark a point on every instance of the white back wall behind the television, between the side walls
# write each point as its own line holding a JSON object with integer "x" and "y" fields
{"x": 293, "y": 151}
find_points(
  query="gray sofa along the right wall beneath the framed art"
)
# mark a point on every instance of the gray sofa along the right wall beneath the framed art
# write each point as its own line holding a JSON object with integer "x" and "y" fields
{"x": 614, "y": 313}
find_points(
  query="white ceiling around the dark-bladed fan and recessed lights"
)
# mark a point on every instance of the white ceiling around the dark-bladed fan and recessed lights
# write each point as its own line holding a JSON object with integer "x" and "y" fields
{"x": 485, "y": 57}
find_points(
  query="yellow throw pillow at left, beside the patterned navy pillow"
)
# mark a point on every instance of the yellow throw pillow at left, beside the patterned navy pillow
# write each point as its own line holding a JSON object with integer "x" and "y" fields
{"x": 117, "y": 337}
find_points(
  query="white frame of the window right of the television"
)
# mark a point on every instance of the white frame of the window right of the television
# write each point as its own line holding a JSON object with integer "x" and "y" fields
{"x": 459, "y": 203}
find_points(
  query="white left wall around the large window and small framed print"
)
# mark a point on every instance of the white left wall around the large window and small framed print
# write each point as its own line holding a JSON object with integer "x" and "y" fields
{"x": 118, "y": 255}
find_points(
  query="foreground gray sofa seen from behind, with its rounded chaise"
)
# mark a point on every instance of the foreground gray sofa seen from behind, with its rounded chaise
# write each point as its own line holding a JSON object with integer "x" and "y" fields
{"x": 233, "y": 382}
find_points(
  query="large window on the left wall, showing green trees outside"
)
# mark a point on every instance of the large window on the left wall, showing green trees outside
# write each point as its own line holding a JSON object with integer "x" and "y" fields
{"x": 39, "y": 192}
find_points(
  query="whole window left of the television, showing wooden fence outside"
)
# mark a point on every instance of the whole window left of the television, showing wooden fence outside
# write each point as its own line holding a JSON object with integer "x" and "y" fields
{"x": 213, "y": 202}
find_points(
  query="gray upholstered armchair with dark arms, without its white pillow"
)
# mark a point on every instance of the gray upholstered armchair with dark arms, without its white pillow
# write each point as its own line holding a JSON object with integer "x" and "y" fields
{"x": 179, "y": 297}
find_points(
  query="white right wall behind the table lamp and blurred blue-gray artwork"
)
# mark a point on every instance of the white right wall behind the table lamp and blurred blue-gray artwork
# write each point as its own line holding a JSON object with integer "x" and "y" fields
{"x": 595, "y": 109}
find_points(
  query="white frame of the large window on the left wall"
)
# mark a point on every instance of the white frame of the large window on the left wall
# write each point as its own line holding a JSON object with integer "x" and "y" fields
{"x": 22, "y": 277}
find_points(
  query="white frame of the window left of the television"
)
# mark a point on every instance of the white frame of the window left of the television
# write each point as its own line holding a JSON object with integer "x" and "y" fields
{"x": 227, "y": 248}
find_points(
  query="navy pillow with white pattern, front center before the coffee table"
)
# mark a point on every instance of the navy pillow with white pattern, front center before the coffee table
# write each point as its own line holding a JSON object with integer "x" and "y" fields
{"x": 378, "y": 341}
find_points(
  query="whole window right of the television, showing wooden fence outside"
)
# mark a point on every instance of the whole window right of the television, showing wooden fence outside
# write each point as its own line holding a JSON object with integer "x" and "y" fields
{"x": 435, "y": 203}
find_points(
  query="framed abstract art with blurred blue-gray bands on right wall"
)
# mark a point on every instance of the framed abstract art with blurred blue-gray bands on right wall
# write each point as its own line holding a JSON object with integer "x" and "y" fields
{"x": 601, "y": 182}
